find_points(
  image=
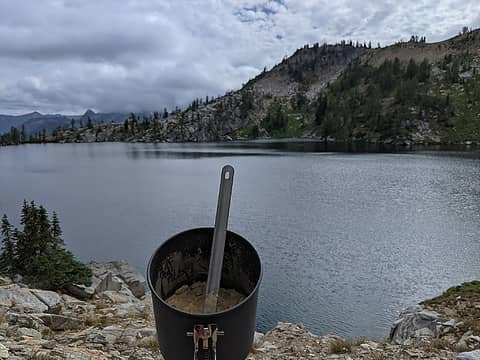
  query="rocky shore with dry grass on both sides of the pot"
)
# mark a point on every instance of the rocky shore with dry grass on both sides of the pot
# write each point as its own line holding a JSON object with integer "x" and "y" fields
{"x": 113, "y": 319}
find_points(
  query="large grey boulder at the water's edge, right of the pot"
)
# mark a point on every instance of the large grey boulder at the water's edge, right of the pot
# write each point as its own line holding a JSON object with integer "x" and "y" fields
{"x": 417, "y": 323}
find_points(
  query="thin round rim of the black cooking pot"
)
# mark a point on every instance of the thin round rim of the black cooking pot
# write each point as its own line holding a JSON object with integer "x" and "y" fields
{"x": 152, "y": 288}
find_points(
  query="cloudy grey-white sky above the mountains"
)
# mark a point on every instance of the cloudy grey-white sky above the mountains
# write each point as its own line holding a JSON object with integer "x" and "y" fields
{"x": 142, "y": 55}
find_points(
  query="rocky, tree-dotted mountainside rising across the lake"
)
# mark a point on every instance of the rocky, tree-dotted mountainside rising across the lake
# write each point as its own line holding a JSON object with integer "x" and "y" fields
{"x": 409, "y": 92}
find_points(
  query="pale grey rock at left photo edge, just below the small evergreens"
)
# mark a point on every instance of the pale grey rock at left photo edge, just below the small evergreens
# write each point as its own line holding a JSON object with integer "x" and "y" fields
{"x": 23, "y": 300}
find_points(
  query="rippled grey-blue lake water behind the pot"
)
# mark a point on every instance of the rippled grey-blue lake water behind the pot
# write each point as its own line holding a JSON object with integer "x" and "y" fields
{"x": 346, "y": 239}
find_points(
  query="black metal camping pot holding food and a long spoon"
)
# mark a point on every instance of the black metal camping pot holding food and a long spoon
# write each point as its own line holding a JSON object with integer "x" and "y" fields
{"x": 183, "y": 260}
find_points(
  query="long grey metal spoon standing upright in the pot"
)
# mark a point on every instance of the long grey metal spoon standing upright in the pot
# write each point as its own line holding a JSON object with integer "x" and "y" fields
{"x": 218, "y": 245}
